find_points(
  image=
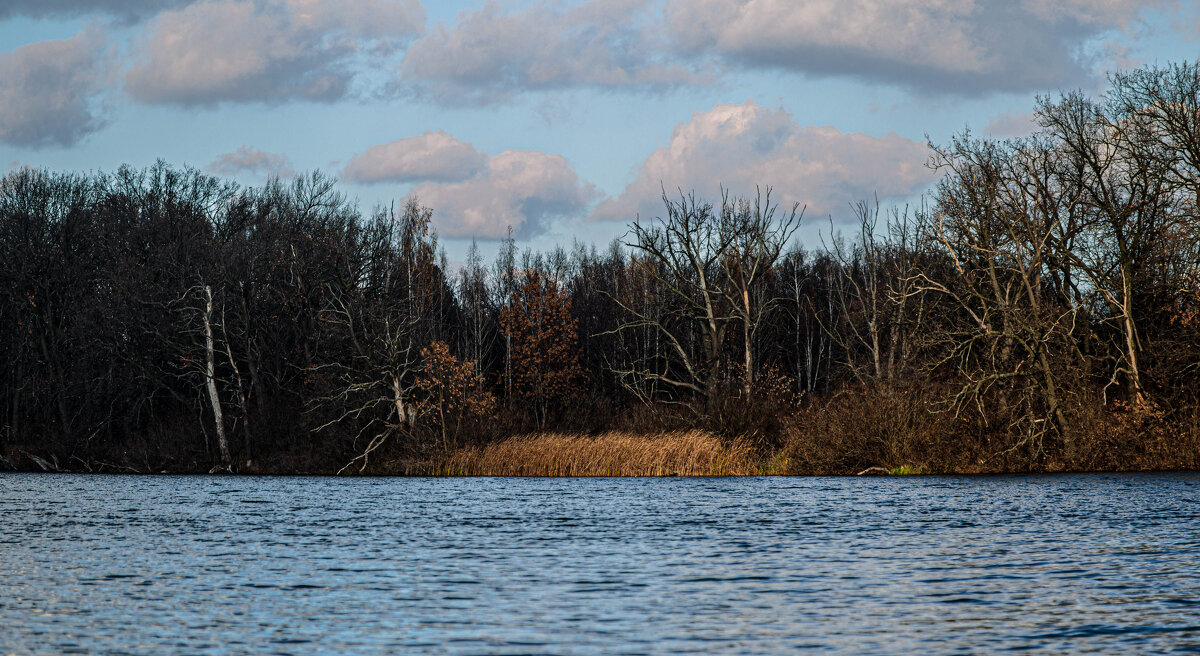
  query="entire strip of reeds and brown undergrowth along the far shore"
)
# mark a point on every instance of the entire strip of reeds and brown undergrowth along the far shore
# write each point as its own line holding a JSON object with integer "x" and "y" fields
{"x": 883, "y": 430}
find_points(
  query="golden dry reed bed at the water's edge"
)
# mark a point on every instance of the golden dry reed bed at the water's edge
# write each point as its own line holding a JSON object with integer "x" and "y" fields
{"x": 683, "y": 454}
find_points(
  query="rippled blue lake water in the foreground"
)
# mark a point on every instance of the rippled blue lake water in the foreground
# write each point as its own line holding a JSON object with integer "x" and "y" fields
{"x": 928, "y": 565}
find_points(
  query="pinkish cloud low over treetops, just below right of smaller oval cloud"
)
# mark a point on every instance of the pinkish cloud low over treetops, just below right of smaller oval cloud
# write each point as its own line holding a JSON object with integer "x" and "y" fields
{"x": 523, "y": 189}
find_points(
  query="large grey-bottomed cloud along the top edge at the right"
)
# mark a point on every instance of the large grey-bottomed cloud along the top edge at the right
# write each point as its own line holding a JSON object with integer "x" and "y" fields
{"x": 943, "y": 46}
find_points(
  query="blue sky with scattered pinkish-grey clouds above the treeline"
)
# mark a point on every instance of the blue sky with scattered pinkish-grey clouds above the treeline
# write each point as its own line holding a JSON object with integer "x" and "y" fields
{"x": 562, "y": 121}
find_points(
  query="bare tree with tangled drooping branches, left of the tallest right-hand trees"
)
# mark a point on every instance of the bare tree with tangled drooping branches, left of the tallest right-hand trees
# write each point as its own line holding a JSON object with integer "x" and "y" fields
{"x": 997, "y": 227}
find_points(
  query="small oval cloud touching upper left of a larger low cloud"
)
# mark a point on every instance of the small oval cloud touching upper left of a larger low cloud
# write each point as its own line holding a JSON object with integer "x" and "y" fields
{"x": 434, "y": 157}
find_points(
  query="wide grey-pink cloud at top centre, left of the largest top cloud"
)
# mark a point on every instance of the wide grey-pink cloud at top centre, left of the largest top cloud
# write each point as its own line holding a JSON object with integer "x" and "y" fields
{"x": 491, "y": 53}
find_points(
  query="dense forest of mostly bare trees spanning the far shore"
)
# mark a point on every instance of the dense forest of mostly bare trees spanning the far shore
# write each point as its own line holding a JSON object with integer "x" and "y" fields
{"x": 1040, "y": 311}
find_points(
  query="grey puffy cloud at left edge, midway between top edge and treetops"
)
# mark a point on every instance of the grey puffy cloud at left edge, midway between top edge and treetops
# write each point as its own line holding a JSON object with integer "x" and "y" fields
{"x": 50, "y": 91}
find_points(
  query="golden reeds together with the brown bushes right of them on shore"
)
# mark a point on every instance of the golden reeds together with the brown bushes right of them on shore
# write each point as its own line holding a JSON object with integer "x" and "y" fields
{"x": 883, "y": 430}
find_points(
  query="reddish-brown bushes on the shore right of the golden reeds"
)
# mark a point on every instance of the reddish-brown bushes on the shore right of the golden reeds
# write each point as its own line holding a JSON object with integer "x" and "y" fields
{"x": 893, "y": 426}
